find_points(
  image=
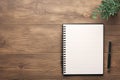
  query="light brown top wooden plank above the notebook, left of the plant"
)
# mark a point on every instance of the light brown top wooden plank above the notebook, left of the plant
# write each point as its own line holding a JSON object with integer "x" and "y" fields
{"x": 47, "y": 12}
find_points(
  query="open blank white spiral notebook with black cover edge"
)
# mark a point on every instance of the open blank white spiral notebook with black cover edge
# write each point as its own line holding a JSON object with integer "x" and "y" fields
{"x": 83, "y": 49}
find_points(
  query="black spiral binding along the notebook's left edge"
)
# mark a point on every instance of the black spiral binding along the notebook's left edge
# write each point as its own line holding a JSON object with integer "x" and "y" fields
{"x": 64, "y": 49}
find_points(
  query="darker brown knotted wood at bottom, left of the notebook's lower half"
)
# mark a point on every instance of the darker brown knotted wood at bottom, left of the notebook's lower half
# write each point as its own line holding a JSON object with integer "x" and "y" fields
{"x": 30, "y": 66}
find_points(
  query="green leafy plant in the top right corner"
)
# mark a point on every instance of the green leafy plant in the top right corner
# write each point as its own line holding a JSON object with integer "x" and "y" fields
{"x": 107, "y": 9}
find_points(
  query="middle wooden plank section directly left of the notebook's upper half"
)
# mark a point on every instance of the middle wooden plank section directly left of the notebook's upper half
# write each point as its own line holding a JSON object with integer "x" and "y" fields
{"x": 30, "y": 38}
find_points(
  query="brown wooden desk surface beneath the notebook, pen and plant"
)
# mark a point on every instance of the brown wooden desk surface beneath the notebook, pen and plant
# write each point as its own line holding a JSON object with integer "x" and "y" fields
{"x": 30, "y": 38}
